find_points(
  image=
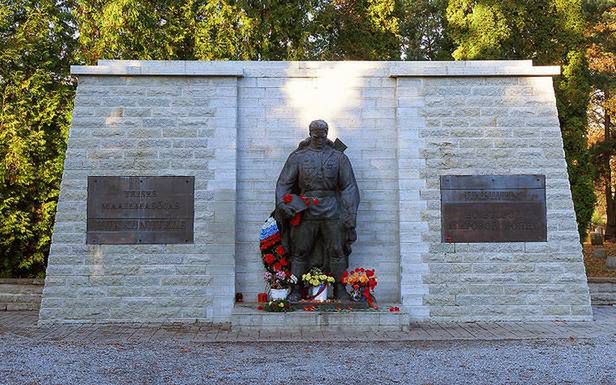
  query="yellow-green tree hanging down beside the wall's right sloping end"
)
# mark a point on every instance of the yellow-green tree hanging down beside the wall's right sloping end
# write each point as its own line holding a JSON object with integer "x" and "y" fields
{"x": 549, "y": 32}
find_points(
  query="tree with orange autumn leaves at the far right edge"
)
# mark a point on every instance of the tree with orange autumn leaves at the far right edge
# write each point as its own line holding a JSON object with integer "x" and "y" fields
{"x": 601, "y": 54}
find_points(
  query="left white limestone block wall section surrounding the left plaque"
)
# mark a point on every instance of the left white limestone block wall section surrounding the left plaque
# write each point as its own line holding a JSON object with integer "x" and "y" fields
{"x": 147, "y": 126}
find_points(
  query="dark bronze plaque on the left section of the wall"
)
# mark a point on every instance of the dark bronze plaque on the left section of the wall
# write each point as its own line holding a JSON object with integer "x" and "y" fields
{"x": 140, "y": 209}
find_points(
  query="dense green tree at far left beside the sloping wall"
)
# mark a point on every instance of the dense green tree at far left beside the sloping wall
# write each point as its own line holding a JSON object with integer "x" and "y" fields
{"x": 37, "y": 92}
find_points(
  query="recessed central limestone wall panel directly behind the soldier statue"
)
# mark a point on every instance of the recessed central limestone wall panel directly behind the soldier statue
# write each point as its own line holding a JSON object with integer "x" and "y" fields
{"x": 277, "y": 101}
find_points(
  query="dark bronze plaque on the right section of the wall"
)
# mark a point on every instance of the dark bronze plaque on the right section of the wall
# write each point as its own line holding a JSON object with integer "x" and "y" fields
{"x": 493, "y": 208}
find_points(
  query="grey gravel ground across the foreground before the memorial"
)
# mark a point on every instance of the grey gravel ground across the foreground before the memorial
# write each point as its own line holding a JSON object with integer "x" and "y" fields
{"x": 588, "y": 361}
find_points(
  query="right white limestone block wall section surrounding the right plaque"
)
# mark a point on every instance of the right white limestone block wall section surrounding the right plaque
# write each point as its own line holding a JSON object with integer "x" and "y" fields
{"x": 482, "y": 126}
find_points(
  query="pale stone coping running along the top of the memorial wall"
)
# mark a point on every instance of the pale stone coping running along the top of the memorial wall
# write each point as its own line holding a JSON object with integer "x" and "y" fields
{"x": 315, "y": 68}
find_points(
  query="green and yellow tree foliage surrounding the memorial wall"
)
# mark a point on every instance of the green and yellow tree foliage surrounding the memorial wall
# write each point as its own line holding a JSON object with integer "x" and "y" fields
{"x": 40, "y": 38}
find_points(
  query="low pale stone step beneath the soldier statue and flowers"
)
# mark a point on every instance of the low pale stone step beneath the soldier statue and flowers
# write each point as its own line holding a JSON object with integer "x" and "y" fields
{"x": 246, "y": 316}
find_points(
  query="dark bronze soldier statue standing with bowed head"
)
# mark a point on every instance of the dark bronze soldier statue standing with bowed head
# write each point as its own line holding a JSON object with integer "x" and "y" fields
{"x": 316, "y": 205}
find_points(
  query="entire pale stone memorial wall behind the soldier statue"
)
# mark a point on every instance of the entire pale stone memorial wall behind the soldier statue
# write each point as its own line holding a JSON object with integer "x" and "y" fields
{"x": 407, "y": 125}
